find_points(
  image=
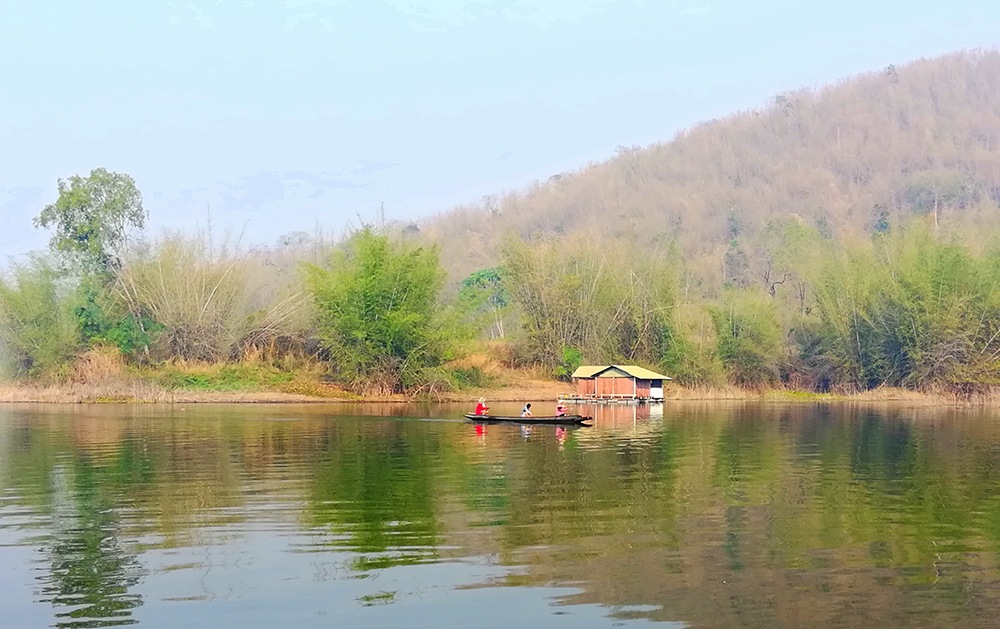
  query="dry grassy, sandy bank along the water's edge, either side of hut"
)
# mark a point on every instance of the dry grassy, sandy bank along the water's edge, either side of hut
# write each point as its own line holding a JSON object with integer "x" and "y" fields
{"x": 100, "y": 376}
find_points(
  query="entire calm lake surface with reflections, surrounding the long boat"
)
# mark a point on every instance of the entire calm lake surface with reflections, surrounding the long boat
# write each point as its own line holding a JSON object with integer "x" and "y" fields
{"x": 390, "y": 516}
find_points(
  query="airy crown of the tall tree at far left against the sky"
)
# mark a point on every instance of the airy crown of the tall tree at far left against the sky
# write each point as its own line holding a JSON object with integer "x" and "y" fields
{"x": 92, "y": 218}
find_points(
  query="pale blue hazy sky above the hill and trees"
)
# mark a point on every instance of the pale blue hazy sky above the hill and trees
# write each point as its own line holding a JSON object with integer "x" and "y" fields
{"x": 267, "y": 117}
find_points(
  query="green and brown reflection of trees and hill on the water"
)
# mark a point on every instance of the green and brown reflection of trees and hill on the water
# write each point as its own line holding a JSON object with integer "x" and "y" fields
{"x": 718, "y": 516}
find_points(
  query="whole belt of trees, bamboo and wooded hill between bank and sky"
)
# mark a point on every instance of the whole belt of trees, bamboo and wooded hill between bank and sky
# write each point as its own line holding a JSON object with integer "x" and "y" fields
{"x": 774, "y": 248}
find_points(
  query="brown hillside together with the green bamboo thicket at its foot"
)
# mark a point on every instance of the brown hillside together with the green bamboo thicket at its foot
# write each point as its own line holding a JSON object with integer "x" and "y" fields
{"x": 842, "y": 239}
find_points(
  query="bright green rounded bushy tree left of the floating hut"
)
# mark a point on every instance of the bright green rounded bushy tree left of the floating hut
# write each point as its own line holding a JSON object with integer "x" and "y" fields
{"x": 376, "y": 308}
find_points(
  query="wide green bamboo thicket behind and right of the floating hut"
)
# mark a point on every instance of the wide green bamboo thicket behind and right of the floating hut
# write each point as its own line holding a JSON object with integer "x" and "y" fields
{"x": 904, "y": 308}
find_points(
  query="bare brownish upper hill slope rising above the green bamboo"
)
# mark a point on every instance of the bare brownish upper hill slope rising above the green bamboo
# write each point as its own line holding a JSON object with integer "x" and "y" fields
{"x": 923, "y": 138}
